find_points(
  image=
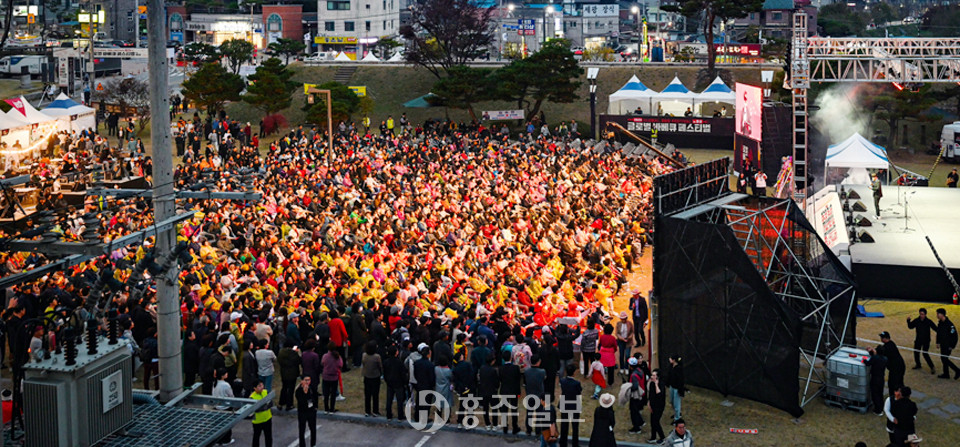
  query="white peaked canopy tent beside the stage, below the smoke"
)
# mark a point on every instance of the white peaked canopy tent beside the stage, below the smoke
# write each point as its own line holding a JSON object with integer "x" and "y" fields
{"x": 855, "y": 155}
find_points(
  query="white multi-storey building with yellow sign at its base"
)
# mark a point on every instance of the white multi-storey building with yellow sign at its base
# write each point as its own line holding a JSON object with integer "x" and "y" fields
{"x": 353, "y": 25}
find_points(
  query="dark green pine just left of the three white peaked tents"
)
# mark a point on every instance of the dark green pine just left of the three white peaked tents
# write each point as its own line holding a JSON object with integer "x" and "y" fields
{"x": 550, "y": 74}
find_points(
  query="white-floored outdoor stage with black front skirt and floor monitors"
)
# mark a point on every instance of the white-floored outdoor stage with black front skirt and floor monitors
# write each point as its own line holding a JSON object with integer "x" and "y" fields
{"x": 900, "y": 263}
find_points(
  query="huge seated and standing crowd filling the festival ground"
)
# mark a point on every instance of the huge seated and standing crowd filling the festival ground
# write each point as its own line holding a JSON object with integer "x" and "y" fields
{"x": 436, "y": 258}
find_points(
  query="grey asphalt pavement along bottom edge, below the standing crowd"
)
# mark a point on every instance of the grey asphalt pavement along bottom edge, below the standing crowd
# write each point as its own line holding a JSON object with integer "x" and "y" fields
{"x": 352, "y": 434}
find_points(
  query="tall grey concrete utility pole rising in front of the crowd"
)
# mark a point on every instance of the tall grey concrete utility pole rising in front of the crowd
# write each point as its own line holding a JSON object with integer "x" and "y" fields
{"x": 168, "y": 299}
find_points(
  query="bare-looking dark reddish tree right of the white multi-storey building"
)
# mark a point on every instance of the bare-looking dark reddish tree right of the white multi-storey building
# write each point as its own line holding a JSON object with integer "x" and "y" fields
{"x": 447, "y": 33}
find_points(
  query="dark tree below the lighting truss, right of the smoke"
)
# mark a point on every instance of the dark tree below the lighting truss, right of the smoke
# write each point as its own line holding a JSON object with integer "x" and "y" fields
{"x": 895, "y": 102}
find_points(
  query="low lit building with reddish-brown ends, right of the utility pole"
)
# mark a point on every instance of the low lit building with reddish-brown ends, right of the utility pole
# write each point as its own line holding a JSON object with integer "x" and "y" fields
{"x": 273, "y": 22}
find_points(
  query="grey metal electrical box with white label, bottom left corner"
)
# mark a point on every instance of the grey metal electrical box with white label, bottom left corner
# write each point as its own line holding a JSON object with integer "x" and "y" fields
{"x": 78, "y": 405}
